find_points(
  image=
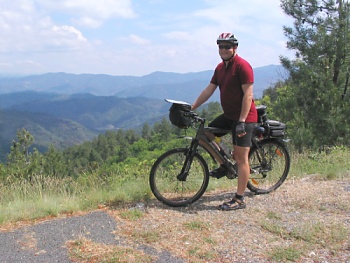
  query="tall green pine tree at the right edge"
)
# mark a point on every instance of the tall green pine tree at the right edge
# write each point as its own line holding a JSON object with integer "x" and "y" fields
{"x": 313, "y": 93}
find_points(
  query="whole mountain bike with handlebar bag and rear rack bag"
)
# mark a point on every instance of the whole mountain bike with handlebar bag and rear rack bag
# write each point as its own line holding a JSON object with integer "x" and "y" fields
{"x": 180, "y": 176}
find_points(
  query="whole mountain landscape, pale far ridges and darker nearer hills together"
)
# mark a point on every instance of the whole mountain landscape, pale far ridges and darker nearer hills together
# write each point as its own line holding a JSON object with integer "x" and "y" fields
{"x": 66, "y": 109}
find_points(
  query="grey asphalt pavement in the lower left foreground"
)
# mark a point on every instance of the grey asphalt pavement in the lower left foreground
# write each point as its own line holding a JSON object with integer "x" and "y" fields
{"x": 45, "y": 242}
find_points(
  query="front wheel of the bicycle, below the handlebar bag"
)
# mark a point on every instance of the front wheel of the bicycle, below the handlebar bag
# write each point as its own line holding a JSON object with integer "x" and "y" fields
{"x": 164, "y": 182}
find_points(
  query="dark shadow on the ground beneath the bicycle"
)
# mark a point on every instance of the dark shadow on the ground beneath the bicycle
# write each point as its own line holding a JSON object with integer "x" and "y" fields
{"x": 207, "y": 202}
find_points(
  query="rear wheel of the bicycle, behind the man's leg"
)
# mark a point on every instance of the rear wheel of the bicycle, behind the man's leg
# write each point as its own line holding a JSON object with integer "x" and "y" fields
{"x": 269, "y": 165}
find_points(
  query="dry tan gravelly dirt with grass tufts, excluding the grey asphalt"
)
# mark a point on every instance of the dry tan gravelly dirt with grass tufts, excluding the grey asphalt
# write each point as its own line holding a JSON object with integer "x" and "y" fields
{"x": 305, "y": 220}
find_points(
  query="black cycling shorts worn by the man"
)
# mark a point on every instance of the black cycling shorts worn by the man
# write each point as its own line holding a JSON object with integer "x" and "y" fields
{"x": 223, "y": 123}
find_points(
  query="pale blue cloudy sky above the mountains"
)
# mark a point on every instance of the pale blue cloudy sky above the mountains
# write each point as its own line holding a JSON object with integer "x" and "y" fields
{"x": 135, "y": 37}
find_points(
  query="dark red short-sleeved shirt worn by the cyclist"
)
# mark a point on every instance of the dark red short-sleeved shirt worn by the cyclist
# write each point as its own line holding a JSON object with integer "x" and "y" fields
{"x": 230, "y": 81}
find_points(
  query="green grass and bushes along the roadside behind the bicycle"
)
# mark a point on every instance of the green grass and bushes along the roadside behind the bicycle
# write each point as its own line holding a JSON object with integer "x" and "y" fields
{"x": 29, "y": 191}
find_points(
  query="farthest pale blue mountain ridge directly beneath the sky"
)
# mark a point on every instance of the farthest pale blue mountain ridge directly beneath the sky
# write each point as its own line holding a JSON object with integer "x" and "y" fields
{"x": 156, "y": 85}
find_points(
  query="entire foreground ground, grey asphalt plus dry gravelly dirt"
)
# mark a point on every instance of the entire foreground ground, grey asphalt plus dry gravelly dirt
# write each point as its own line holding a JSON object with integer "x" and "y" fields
{"x": 306, "y": 220}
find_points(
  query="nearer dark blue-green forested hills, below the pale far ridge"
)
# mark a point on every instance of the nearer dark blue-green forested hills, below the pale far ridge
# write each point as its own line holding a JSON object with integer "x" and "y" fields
{"x": 63, "y": 121}
